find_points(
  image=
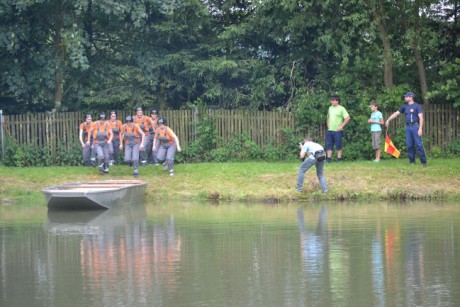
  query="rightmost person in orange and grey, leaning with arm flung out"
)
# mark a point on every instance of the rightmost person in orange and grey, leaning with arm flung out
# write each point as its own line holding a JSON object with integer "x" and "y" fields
{"x": 167, "y": 143}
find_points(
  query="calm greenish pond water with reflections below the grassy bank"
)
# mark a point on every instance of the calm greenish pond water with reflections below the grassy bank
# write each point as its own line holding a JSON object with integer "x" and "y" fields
{"x": 201, "y": 254}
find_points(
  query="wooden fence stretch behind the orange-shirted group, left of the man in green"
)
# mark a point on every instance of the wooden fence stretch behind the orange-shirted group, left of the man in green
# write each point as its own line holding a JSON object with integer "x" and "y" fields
{"x": 62, "y": 129}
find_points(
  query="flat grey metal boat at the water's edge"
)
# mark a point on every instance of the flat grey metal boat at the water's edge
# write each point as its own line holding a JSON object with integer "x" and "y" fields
{"x": 99, "y": 194}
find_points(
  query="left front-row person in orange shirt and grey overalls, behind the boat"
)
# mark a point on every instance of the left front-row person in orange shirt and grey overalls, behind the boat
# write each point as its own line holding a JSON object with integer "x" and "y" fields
{"x": 102, "y": 136}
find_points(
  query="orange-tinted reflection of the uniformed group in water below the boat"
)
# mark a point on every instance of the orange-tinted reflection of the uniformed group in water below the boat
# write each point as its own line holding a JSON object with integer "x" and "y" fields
{"x": 132, "y": 263}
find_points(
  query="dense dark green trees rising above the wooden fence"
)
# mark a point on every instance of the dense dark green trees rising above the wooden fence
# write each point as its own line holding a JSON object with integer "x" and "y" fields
{"x": 266, "y": 54}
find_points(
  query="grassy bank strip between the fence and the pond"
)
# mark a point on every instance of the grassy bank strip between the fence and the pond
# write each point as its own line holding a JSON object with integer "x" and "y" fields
{"x": 254, "y": 181}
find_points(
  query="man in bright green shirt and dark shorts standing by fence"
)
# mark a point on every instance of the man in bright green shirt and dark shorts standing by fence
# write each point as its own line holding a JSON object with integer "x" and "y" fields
{"x": 337, "y": 119}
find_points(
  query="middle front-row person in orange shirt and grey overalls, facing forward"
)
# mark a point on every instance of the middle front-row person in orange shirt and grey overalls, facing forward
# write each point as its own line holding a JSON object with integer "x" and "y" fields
{"x": 133, "y": 137}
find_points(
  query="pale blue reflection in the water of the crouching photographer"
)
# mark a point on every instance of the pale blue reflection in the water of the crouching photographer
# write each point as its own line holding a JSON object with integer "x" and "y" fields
{"x": 313, "y": 247}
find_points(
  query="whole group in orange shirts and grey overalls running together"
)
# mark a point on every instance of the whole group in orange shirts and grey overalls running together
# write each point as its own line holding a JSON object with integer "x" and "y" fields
{"x": 145, "y": 140}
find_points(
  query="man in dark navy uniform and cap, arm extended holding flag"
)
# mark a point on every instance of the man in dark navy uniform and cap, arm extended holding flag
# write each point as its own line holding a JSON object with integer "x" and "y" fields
{"x": 414, "y": 127}
